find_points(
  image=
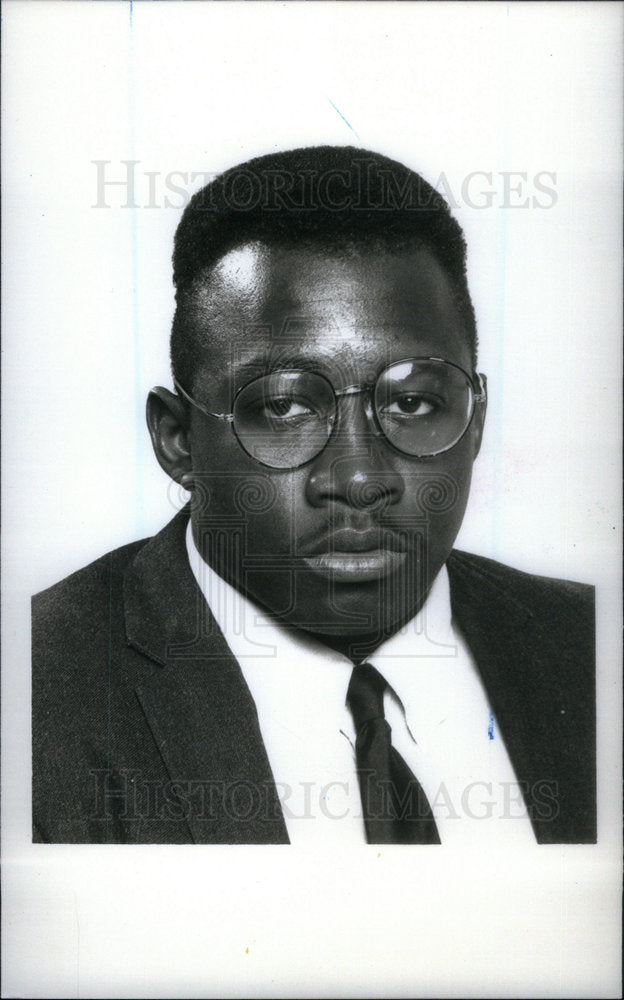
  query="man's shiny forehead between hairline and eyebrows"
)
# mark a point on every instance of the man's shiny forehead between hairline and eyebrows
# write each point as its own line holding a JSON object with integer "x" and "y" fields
{"x": 264, "y": 305}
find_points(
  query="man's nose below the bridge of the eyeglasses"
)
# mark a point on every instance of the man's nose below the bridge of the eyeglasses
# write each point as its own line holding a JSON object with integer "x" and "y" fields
{"x": 356, "y": 467}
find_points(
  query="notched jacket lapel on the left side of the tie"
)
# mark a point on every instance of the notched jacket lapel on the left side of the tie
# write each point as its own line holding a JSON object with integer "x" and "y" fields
{"x": 198, "y": 706}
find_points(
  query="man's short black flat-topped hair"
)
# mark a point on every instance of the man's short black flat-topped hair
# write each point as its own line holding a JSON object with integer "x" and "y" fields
{"x": 331, "y": 198}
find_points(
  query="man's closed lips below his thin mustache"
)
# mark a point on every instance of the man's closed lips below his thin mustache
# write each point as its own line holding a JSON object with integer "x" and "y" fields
{"x": 351, "y": 556}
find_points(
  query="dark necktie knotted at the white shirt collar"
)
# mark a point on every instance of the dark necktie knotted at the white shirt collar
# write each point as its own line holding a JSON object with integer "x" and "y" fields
{"x": 396, "y": 810}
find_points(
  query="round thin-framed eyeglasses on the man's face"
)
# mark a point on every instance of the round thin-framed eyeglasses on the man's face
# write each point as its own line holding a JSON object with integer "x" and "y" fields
{"x": 422, "y": 406}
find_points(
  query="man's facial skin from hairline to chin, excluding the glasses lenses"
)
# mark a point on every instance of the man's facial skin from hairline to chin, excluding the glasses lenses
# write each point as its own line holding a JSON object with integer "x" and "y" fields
{"x": 348, "y": 544}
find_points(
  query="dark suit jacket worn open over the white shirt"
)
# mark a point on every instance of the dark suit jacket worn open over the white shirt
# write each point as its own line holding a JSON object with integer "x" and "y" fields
{"x": 144, "y": 730}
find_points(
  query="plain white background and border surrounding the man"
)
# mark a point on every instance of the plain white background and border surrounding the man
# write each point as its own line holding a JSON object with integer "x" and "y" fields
{"x": 449, "y": 89}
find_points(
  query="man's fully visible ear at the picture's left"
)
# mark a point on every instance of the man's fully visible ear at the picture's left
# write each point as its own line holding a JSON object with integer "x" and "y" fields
{"x": 168, "y": 424}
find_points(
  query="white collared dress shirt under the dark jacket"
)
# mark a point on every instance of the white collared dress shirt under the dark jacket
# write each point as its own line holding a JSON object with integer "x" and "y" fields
{"x": 436, "y": 705}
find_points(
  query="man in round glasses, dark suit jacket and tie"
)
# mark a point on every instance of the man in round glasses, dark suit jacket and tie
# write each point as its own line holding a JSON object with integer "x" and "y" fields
{"x": 299, "y": 655}
